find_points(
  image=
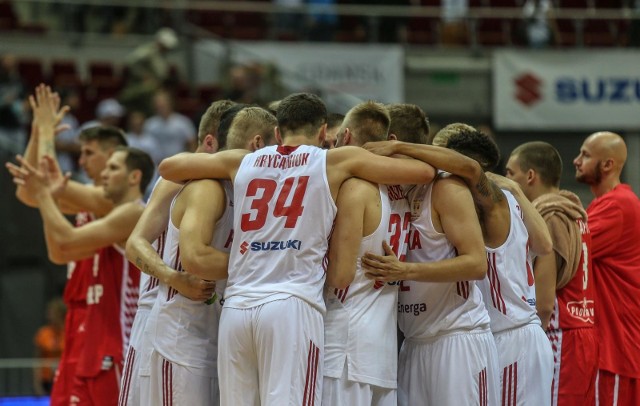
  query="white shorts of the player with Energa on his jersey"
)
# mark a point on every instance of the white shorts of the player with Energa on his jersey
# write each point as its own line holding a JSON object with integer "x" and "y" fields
{"x": 456, "y": 369}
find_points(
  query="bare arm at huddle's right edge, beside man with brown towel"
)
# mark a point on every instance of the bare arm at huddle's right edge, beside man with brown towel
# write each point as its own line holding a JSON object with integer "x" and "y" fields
{"x": 539, "y": 237}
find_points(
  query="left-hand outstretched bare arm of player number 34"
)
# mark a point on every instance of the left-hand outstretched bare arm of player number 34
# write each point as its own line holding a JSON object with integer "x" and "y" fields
{"x": 183, "y": 167}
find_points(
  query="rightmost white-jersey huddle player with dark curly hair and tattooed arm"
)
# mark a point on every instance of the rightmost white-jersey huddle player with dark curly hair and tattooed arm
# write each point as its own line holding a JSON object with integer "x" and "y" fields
{"x": 508, "y": 294}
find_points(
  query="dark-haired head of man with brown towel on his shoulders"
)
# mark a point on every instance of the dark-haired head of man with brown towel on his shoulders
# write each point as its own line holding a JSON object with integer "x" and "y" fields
{"x": 543, "y": 158}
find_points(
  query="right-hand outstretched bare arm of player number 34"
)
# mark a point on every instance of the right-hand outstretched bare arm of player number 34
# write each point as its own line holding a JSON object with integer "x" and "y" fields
{"x": 347, "y": 162}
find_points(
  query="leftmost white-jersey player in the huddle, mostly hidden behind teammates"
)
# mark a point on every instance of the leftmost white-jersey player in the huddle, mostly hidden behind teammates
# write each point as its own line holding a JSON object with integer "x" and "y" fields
{"x": 146, "y": 241}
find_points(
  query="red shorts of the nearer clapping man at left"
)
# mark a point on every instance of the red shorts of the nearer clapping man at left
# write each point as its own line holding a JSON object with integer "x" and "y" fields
{"x": 100, "y": 390}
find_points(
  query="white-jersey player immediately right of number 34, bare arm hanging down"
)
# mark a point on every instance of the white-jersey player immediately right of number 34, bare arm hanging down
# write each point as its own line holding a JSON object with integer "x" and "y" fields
{"x": 360, "y": 361}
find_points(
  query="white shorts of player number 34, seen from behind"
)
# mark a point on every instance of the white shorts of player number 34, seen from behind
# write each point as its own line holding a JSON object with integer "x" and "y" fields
{"x": 271, "y": 354}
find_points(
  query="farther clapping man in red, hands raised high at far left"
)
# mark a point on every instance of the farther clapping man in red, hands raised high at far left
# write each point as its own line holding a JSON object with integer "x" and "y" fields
{"x": 86, "y": 202}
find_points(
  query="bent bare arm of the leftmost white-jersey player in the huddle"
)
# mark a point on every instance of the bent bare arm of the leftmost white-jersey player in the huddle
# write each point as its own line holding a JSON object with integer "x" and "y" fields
{"x": 139, "y": 251}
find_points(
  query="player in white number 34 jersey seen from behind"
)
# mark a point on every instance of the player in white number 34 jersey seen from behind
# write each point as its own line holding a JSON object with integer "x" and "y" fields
{"x": 284, "y": 210}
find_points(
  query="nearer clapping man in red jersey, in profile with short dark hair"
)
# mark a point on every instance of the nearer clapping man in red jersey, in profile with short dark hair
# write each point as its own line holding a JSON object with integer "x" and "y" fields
{"x": 113, "y": 282}
